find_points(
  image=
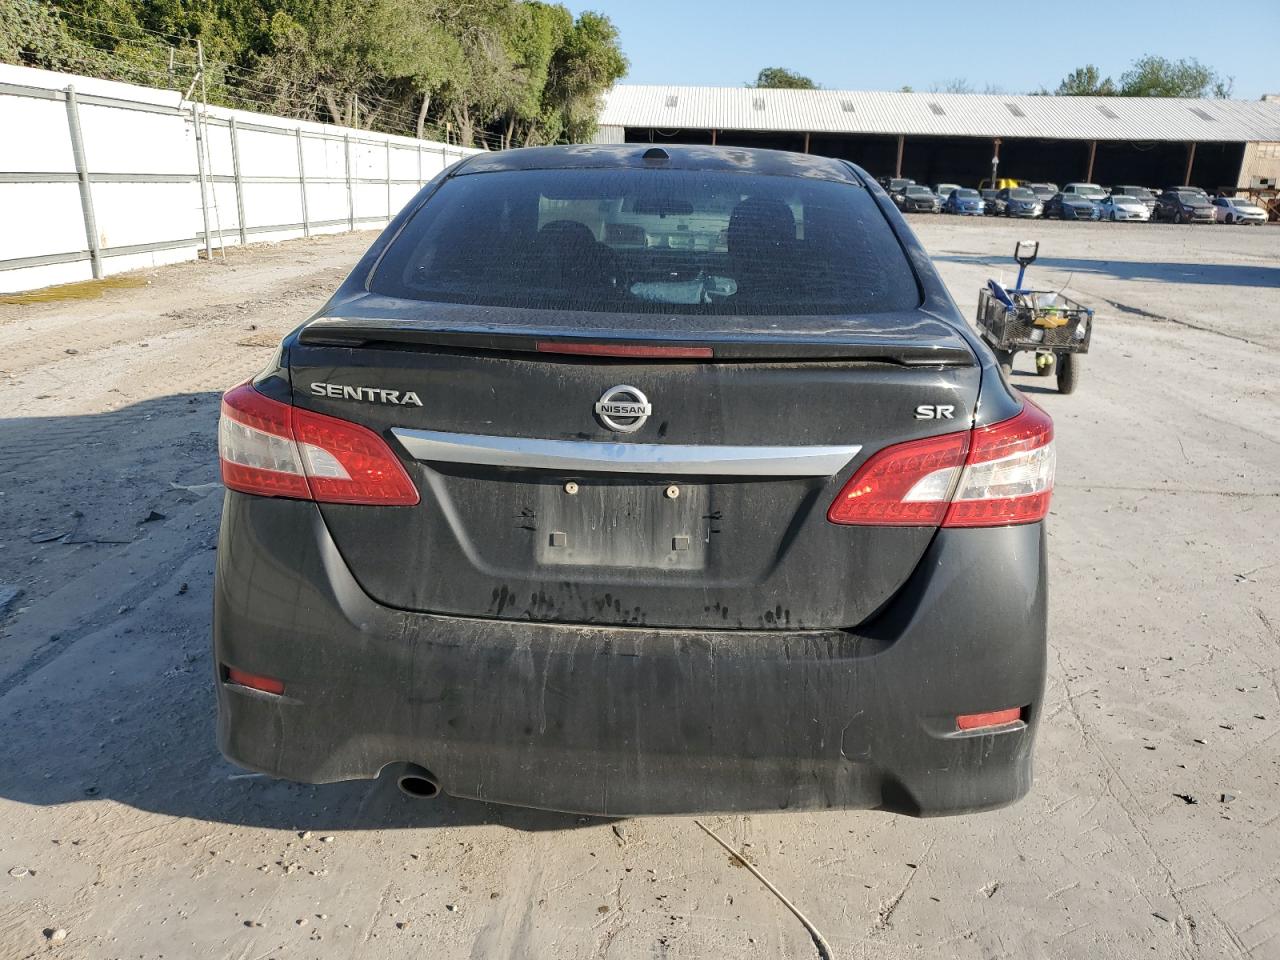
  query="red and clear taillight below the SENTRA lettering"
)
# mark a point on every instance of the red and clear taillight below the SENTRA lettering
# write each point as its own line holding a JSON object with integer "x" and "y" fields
{"x": 276, "y": 450}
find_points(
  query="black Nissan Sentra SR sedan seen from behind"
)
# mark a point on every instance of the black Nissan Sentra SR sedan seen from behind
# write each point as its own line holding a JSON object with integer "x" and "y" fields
{"x": 630, "y": 481}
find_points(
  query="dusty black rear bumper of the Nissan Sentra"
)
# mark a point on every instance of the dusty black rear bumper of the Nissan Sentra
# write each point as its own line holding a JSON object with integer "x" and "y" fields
{"x": 616, "y": 721}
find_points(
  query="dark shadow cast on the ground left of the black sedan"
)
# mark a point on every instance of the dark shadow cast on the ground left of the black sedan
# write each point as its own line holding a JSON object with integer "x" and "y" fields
{"x": 116, "y": 701}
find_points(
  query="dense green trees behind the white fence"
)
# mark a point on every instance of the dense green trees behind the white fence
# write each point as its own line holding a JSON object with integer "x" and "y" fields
{"x": 496, "y": 72}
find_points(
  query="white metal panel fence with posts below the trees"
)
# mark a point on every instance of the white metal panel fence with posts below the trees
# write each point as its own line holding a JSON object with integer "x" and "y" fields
{"x": 99, "y": 177}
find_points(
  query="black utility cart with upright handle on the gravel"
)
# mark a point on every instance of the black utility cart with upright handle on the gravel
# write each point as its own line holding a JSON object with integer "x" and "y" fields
{"x": 1055, "y": 328}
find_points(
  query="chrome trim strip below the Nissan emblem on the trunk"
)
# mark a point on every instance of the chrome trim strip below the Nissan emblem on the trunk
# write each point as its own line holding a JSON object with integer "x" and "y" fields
{"x": 586, "y": 456}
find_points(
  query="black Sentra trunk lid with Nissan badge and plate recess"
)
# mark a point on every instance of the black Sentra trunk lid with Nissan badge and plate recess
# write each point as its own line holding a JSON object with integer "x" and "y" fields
{"x": 708, "y": 514}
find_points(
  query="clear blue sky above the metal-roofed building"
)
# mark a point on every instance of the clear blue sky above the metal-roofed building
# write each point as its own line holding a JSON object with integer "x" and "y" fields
{"x": 884, "y": 45}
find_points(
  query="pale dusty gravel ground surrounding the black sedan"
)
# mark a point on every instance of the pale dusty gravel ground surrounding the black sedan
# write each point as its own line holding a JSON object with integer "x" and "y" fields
{"x": 1153, "y": 829}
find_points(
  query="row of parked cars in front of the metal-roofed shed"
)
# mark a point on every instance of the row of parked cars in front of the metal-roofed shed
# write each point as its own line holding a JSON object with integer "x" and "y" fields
{"x": 1076, "y": 202}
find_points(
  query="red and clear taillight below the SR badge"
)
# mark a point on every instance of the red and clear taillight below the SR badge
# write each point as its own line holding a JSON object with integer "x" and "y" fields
{"x": 991, "y": 477}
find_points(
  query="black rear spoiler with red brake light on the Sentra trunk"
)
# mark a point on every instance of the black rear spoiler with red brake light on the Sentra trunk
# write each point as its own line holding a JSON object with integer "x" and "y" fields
{"x": 614, "y": 345}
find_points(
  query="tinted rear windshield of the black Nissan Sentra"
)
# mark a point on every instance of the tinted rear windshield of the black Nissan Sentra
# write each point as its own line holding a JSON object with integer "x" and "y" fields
{"x": 674, "y": 243}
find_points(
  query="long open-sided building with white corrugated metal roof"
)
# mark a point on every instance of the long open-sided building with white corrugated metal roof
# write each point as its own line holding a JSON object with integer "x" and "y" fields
{"x": 954, "y": 138}
